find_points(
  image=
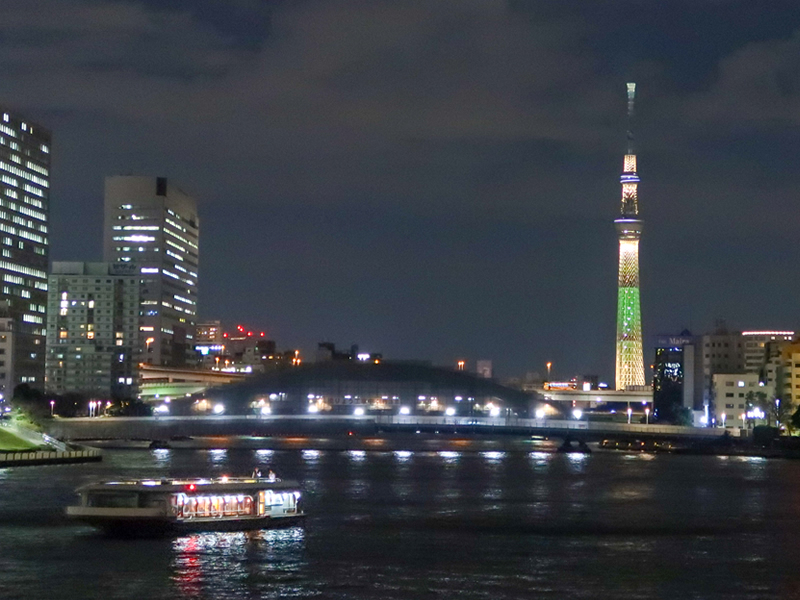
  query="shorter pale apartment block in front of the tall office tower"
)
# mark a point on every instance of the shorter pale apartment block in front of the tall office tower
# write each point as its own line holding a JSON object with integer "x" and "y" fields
{"x": 93, "y": 329}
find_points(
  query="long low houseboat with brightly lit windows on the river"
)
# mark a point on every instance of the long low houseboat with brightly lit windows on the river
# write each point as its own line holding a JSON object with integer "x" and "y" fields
{"x": 147, "y": 507}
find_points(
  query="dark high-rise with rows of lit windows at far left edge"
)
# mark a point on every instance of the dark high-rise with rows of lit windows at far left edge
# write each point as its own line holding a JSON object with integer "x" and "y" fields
{"x": 24, "y": 209}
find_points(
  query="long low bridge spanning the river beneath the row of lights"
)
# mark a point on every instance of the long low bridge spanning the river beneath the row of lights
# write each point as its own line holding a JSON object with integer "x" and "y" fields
{"x": 166, "y": 427}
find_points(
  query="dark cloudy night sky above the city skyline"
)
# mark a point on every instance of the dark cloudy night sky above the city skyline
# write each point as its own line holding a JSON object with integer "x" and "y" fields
{"x": 434, "y": 179}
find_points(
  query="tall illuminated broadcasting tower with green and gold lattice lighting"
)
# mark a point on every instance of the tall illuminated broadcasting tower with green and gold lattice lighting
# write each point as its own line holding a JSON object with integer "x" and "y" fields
{"x": 630, "y": 360}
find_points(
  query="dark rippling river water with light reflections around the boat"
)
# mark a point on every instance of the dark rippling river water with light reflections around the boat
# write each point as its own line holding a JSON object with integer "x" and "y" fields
{"x": 430, "y": 525}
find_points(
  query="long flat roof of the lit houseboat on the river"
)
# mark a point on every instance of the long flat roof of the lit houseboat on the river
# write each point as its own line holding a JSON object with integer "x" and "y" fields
{"x": 231, "y": 485}
